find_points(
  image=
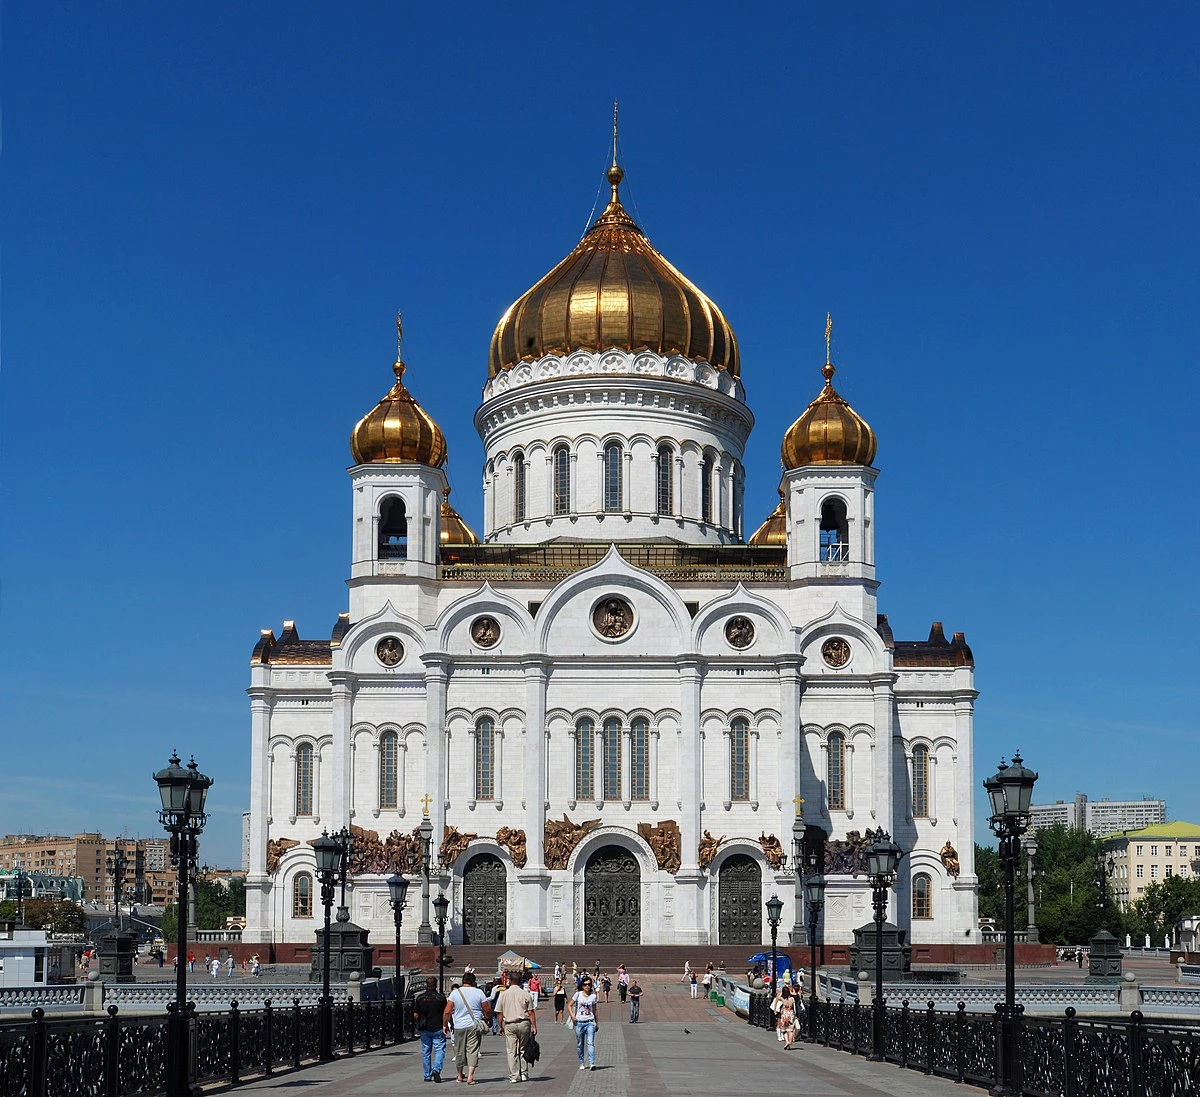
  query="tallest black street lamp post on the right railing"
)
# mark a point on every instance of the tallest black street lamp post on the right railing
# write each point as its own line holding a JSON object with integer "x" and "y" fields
{"x": 1011, "y": 792}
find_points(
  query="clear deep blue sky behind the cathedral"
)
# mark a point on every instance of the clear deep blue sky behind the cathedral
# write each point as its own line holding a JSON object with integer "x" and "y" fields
{"x": 212, "y": 213}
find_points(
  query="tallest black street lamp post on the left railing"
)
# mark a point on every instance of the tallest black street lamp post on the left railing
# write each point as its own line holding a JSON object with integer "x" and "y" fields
{"x": 183, "y": 793}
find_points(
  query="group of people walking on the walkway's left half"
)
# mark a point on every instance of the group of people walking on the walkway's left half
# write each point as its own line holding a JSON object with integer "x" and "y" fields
{"x": 467, "y": 1015}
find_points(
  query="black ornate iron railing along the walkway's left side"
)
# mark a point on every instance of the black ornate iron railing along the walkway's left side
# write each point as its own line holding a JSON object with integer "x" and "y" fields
{"x": 128, "y": 1056}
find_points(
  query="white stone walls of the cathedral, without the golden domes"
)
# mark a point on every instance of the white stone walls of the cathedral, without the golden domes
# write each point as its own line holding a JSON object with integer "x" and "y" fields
{"x": 721, "y": 732}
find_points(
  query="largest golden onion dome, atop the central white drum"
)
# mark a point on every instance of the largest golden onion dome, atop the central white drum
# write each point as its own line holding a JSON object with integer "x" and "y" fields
{"x": 614, "y": 291}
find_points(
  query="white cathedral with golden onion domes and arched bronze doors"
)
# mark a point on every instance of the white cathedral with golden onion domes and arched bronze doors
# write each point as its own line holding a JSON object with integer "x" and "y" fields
{"x": 614, "y": 716}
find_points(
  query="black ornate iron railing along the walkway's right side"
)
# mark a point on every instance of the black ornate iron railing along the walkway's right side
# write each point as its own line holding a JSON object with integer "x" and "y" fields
{"x": 1060, "y": 1057}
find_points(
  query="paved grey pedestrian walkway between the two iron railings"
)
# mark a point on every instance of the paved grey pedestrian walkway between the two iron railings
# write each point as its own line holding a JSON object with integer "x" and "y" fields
{"x": 681, "y": 1047}
